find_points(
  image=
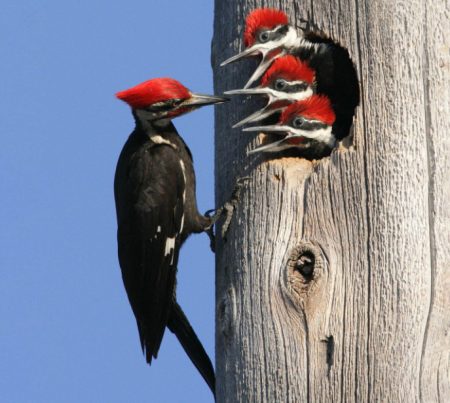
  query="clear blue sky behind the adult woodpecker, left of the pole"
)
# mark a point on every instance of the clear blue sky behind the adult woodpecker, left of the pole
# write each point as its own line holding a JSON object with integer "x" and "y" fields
{"x": 67, "y": 333}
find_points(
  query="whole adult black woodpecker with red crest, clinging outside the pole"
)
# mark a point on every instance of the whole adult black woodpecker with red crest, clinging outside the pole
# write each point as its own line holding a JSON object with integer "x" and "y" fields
{"x": 156, "y": 207}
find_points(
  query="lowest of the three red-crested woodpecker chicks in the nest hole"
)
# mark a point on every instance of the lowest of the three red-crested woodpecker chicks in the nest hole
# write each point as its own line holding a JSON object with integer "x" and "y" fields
{"x": 305, "y": 125}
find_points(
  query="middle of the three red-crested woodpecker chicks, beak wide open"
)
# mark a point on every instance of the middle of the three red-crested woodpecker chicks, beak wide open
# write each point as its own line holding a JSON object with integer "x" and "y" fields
{"x": 287, "y": 80}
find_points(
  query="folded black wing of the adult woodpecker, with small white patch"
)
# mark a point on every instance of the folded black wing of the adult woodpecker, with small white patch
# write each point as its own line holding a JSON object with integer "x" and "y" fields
{"x": 149, "y": 186}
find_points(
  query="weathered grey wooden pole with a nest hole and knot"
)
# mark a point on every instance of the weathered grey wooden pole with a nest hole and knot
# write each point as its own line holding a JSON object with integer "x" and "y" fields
{"x": 334, "y": 285}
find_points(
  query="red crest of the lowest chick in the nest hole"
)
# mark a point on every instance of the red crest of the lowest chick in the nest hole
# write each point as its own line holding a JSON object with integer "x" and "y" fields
{"x": 317, "y": 107}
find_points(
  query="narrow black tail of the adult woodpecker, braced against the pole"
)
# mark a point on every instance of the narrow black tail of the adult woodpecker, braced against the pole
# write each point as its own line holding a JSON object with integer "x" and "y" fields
{"x": 180, "y": 326}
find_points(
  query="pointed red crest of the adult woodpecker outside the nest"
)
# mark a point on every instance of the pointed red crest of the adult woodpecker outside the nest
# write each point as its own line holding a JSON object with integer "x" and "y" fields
{"x": 153, "y": 91}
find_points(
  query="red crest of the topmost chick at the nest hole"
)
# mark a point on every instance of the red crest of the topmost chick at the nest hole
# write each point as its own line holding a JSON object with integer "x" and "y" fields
{"x": 267, "y": 18}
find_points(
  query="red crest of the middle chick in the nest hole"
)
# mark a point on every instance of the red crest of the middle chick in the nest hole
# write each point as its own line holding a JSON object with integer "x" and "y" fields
{"x": 290, "y": 68}
